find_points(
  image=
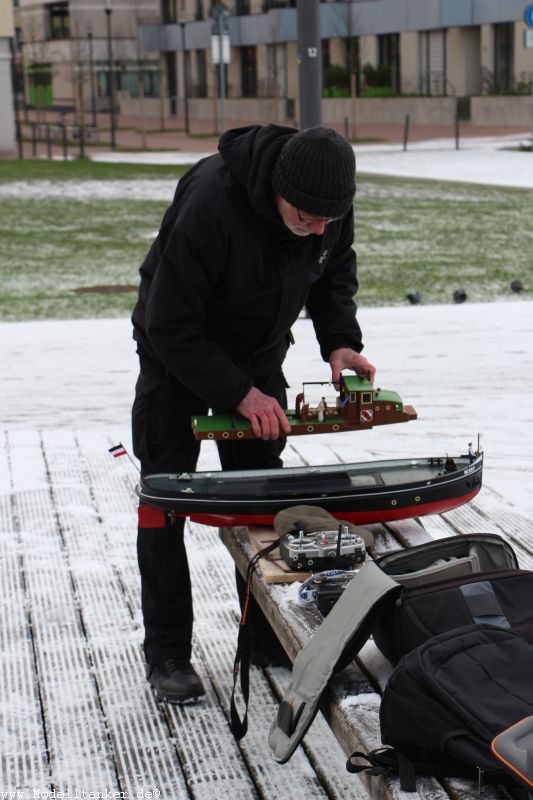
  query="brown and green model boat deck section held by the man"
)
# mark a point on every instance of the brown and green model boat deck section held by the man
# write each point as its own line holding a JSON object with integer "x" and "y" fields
{"x": 358, "y": 407}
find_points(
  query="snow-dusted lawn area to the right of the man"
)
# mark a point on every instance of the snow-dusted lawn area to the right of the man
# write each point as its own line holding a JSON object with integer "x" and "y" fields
{"x": 435, "y": 237}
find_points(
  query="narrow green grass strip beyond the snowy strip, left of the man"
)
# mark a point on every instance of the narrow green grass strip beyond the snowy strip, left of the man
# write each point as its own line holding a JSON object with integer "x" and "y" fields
{"x": 84, "y": 169}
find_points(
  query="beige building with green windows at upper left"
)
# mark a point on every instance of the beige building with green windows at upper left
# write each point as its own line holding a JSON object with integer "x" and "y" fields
{"x": 71, "y": 47}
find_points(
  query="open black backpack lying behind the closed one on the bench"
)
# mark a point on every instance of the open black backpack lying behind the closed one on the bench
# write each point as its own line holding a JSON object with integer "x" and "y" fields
{"x": 476, "y": 579}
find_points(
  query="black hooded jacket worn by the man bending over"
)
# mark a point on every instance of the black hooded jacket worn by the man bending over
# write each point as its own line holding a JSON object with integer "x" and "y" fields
{"x": 225, "y": 278}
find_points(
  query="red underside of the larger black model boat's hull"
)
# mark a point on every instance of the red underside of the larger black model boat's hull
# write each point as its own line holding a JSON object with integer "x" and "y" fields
{"x": 361, "y": 517}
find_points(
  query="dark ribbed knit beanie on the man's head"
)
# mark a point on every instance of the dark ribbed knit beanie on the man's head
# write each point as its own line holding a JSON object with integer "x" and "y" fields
{"x": 315, "y": 172}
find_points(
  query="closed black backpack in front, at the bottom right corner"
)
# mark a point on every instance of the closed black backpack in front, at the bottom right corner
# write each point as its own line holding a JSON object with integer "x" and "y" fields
{"x": 448, "y": 700}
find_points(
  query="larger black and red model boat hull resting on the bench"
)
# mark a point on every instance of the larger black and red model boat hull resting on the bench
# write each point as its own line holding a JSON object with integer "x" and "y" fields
{"x": 377, "y": 491}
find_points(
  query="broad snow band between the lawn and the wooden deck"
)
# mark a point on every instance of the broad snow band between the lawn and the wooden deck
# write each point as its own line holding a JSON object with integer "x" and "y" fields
{"x": 467, "y": 369}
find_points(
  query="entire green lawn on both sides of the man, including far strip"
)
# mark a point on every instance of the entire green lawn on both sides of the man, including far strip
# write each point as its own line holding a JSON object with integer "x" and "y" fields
{"x": 411, "y": 235}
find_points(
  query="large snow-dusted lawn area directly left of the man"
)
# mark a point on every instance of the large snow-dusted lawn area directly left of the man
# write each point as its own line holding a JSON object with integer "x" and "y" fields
{"x": 50, "y": 250}
